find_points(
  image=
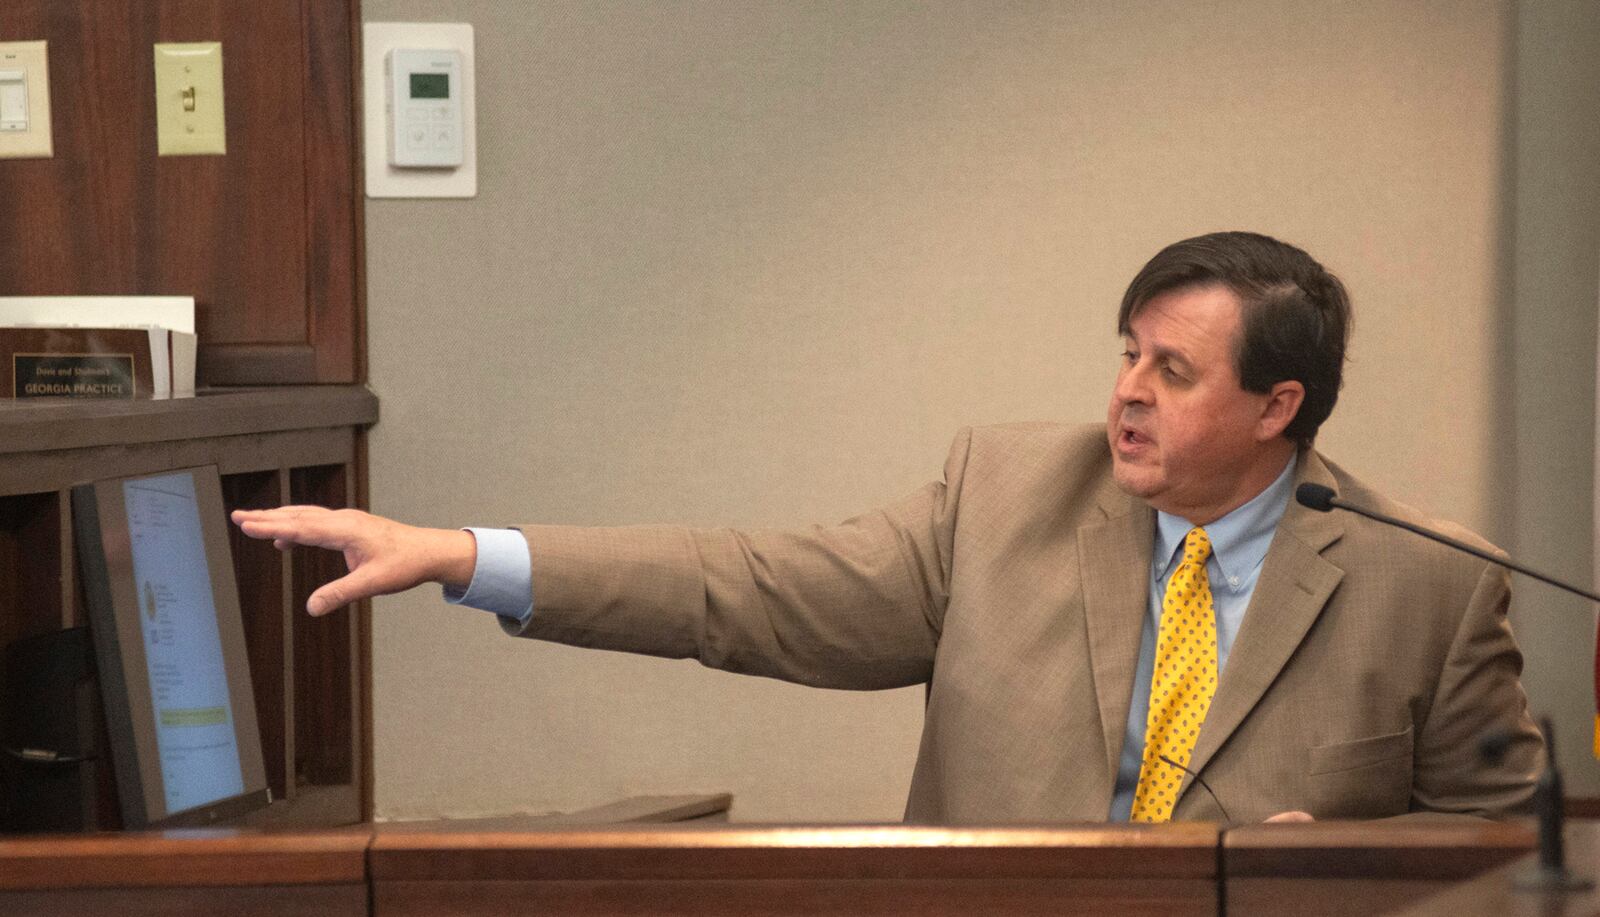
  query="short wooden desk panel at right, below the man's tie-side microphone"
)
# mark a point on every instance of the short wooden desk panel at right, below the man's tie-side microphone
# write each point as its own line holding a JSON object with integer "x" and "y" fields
{"x": 1358, "y": 868}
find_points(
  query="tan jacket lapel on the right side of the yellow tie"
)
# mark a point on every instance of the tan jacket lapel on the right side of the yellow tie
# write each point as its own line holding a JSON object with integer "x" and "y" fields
{"x": 1292, "y": 591}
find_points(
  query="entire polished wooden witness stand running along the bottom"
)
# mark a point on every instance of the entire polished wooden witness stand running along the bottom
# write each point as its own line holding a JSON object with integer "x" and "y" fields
{"x": 570, "y": 865}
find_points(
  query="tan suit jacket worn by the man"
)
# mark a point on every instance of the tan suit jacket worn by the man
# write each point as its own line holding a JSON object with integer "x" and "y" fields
{"x": 1367, "y": 668}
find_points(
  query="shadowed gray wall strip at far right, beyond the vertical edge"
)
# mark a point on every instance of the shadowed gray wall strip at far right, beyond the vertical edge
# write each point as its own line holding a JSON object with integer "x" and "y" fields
{"x": 1545, "y": 491}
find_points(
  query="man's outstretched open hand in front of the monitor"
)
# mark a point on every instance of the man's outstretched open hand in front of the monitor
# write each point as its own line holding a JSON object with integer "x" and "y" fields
{"x": 383, "y": 556}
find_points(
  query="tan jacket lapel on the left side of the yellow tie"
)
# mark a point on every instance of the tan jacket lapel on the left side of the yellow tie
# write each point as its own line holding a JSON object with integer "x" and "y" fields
{"x": 1114, "y": 556}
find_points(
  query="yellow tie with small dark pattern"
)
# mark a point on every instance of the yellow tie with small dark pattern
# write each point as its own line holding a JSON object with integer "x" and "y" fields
{"x": 1183, "y": 686}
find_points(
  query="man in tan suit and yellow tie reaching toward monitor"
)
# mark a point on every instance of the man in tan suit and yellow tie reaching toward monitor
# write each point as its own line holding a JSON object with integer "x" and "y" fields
{"x": 1100, "y": 614}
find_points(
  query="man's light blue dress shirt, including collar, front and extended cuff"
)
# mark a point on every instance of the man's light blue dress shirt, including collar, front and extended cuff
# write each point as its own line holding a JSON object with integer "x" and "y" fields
{"x": 503, "y": 583}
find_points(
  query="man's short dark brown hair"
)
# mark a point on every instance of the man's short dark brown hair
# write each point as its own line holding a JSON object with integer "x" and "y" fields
{"x": 1295, "y": 314}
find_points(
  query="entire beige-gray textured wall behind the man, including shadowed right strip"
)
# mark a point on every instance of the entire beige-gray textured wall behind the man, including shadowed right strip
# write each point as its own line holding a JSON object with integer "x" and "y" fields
{"x": 754, "y": 263}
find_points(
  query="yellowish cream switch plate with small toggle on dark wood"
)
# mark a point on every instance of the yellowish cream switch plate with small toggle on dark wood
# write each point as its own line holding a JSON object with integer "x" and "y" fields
{"x": 190, "y": 114}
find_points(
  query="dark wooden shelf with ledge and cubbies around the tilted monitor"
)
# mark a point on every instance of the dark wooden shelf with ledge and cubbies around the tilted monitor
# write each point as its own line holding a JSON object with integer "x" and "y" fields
{"x": 279, "y": 446}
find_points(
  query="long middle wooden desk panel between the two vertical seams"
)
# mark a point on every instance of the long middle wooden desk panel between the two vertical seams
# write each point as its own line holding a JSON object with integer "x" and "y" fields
{"x": 743, "y": 870}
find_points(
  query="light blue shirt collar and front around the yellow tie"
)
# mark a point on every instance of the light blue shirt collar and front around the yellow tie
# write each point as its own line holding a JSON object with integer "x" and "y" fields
{"x": 1239, "y": 545}
